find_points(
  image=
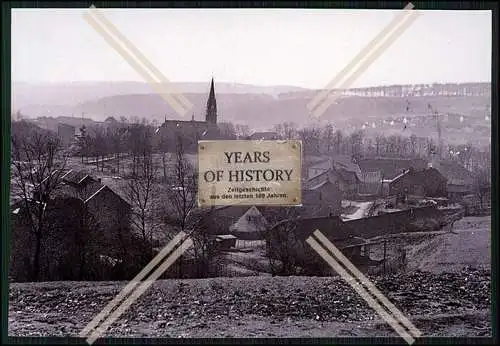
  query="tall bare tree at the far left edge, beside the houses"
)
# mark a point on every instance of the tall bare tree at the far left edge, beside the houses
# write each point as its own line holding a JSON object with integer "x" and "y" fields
{"x": 37, "y": 167}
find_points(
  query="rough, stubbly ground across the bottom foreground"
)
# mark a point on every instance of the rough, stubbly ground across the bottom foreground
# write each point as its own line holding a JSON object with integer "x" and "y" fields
{"x": 439, "y": 305}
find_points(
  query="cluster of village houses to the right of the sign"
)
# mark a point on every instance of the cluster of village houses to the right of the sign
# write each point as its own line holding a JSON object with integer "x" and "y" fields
{"x": 388, "y": 176}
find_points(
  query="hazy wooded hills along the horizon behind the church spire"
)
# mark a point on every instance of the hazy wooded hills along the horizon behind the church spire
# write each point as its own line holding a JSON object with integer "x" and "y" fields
{"x": 263, "y": 107}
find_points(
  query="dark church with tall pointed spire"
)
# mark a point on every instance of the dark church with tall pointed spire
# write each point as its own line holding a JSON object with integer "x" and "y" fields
{"x": 191, "y": 131}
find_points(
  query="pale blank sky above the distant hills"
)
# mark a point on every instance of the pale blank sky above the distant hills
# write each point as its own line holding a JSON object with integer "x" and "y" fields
{"x": 255, "y": 46}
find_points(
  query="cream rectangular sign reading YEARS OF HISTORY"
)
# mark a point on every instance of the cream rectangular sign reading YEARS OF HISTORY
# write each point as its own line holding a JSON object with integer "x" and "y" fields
{"x": 244, "y": 172}
